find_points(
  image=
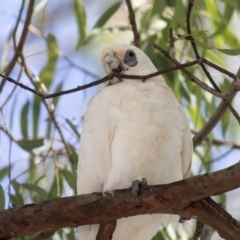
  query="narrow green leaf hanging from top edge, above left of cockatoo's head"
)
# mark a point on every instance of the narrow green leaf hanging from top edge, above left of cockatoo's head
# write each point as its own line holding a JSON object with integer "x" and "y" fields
{"x": 80, "y": 15}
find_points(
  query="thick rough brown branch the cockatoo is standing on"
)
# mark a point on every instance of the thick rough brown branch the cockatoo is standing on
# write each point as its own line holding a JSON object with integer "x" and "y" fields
{"x": 103, "y": 208}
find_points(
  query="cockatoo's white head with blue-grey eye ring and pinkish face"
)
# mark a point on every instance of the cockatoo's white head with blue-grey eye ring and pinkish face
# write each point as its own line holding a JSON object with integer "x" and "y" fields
{"x": 126, "y": 59}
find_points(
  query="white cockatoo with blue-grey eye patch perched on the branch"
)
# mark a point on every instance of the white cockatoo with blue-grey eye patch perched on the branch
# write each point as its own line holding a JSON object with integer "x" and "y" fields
{"x": 132, "y": 129}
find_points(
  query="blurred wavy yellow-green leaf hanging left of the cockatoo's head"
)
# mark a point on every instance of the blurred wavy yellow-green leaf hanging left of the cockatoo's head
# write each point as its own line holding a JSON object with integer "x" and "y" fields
{"x": 47, "y": 73}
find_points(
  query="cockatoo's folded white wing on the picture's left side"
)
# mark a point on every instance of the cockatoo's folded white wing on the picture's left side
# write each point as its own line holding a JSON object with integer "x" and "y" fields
{"x": 94, "y": 157}
